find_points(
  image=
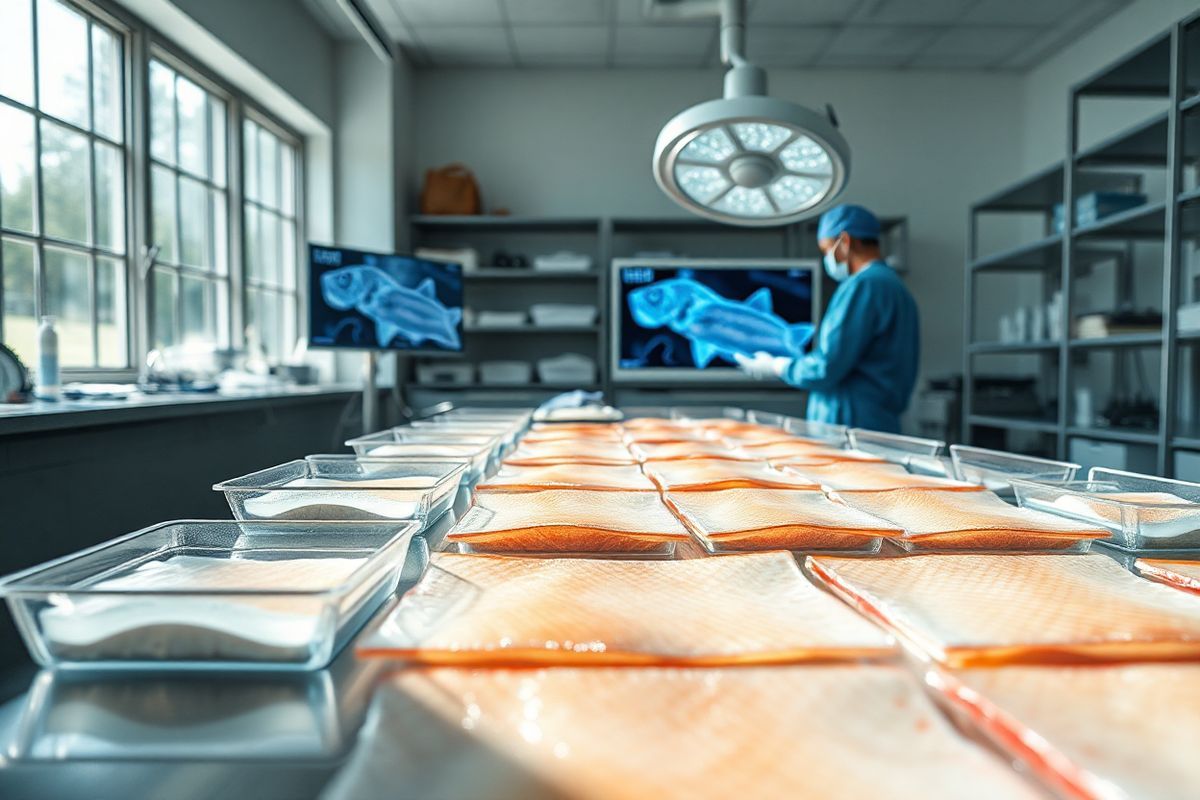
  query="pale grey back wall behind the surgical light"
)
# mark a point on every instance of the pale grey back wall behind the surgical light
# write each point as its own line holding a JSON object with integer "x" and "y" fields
{"x": 579, "y": 142}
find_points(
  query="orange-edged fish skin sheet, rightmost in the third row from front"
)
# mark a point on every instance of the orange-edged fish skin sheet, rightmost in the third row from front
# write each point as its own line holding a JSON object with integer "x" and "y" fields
{"x": 944, "y": 520}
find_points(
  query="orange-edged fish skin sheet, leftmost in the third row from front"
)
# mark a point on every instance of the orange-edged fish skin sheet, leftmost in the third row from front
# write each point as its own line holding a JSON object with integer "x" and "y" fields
{"x": 568, "y": 521}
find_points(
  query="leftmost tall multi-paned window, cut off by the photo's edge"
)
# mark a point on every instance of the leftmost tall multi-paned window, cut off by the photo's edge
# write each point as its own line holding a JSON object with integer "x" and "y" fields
{"x": 63, "y": 176}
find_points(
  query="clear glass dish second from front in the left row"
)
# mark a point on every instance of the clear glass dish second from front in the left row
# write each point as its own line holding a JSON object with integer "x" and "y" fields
{"x": 345, "y": 488}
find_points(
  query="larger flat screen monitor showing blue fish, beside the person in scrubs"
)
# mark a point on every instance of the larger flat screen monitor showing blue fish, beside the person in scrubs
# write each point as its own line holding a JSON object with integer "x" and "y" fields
{"x": 683, "y": 321}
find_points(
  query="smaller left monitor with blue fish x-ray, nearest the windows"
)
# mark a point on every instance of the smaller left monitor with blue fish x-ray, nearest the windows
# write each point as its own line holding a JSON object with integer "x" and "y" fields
{"x": 375, "y": 302}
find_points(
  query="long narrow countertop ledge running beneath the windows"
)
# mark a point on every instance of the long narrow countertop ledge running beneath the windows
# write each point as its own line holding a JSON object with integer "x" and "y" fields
{"x": 39, "y": 416}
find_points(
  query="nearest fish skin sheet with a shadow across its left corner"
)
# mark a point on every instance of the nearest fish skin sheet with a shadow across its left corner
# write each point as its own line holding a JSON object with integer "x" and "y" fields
{"x": 639, "y": 733}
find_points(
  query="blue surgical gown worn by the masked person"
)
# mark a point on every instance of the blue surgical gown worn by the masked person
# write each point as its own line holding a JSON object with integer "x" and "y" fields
{"x": 863, "y": 365}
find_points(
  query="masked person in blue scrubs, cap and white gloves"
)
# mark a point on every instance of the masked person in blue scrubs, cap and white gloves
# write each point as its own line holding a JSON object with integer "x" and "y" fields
{"x": 861, "y": 368}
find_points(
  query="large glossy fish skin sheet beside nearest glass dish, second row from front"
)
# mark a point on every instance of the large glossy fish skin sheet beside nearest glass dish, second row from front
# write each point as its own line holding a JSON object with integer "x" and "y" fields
{"x": 728, "y": 611}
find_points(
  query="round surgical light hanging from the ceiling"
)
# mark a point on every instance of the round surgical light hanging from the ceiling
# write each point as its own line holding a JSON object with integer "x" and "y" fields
{"x": 748, "y": 159}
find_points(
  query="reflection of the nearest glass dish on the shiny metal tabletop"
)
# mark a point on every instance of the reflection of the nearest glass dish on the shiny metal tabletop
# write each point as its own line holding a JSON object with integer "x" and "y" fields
{"x": 123, "y": 717}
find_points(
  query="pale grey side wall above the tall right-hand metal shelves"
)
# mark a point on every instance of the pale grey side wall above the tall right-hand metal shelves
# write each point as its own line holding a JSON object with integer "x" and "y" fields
{"x": 1046, "y": 88}
